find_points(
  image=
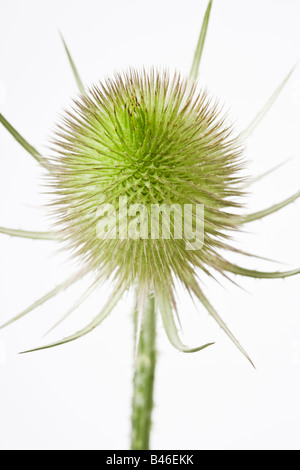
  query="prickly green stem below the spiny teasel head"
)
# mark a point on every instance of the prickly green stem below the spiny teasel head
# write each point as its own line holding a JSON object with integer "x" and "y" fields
{"x": 143, "y": 382}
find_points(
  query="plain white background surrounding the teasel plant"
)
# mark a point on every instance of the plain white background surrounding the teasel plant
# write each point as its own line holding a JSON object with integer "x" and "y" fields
{"x": 78, "y": 396}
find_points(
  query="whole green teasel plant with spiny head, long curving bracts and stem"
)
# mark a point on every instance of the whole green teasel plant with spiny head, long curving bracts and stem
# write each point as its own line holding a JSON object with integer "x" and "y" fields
{"x": 155, "y": 138}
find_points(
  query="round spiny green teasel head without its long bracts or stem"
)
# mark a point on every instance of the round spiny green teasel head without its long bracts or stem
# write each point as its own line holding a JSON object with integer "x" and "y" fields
{"x": 154, "y": 140}
